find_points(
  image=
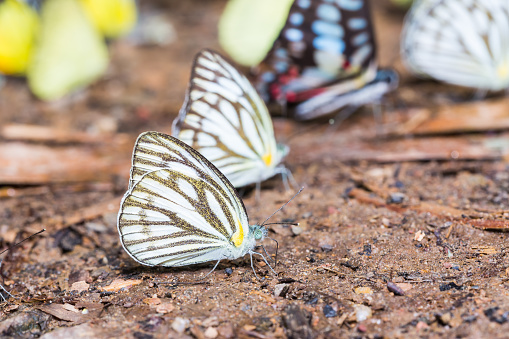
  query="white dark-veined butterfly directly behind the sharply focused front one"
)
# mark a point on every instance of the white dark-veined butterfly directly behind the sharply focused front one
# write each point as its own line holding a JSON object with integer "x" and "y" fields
{"x": 224, "y": 119}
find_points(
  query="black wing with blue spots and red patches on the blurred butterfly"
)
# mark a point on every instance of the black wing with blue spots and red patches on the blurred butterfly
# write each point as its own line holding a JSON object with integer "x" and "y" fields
{"x": 322, "y": 42}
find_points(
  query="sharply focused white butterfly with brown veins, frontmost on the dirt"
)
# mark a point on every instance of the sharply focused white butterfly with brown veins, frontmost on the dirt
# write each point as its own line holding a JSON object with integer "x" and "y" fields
{"x": 185, "y": 212}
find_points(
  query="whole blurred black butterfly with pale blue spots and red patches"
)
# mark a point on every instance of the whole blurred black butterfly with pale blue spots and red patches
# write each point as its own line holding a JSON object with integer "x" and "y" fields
{"x": 324, "y": 59}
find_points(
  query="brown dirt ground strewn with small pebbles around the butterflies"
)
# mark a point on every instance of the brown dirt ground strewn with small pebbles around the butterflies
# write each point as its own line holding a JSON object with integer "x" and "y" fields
{"x": 354, "y": 237}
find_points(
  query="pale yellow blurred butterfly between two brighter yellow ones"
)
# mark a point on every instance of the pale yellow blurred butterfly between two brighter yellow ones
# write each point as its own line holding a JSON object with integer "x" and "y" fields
{"x": 69, "y": 53}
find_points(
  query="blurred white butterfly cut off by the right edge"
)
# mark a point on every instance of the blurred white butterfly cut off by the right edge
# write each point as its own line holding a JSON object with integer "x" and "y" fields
{"x": 461, "y": 42}
